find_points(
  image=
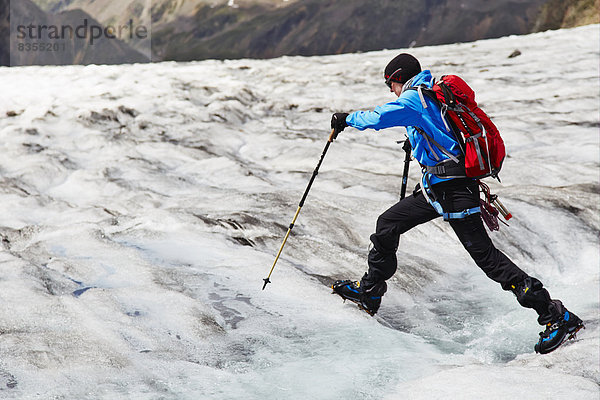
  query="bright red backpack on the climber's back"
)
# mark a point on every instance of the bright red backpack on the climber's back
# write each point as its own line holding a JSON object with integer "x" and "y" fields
{"x": 479, "y": 139}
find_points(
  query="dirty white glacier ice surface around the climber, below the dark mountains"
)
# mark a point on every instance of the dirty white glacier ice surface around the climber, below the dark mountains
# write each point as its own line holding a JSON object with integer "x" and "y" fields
{"x": 143, "y": 205}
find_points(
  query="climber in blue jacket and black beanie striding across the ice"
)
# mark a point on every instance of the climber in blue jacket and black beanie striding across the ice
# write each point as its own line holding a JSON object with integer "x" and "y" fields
{"x": 458, "y": 196}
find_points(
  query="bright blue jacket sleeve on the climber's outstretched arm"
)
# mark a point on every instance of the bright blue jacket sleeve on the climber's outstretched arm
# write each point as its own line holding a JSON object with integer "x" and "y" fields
{"x": 401, "y": 112}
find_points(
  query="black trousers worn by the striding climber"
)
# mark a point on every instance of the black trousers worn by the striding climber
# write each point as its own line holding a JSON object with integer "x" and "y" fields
{"x": 455, "y": 195}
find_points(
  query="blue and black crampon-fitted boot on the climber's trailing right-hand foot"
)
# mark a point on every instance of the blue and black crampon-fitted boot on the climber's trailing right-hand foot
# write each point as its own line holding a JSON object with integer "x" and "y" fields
{"x": 561, "y": 325}
